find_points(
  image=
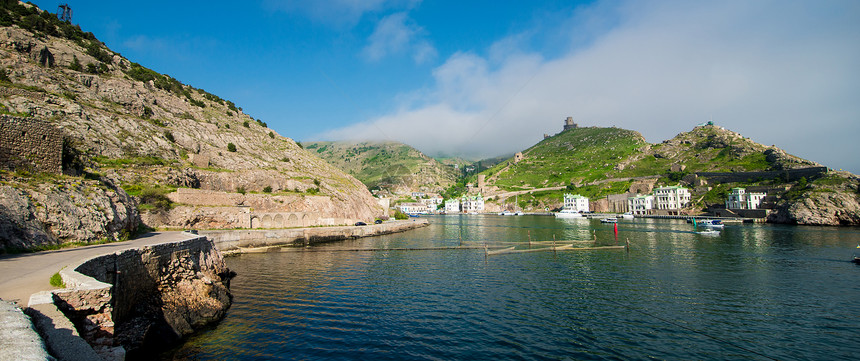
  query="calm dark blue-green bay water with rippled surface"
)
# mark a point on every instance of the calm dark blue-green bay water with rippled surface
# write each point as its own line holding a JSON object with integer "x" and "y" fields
{"x": 753, "y": 292}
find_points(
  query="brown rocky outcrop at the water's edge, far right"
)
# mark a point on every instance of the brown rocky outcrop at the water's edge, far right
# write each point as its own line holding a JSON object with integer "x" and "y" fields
{"x": 831, "y": 201}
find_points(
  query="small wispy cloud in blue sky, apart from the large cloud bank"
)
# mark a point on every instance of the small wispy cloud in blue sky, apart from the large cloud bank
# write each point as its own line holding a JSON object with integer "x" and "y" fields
{"x": 396, "y": 34}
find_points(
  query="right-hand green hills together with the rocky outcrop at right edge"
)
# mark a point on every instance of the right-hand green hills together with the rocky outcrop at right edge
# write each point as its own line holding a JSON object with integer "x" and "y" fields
{"x": 599, "y": 162}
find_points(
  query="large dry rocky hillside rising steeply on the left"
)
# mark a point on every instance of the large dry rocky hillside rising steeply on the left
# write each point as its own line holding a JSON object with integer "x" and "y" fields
{"x": 130, "y": 130}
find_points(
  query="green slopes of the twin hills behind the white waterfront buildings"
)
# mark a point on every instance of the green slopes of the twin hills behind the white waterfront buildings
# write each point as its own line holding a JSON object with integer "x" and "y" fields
{"x": 597, "y": 162}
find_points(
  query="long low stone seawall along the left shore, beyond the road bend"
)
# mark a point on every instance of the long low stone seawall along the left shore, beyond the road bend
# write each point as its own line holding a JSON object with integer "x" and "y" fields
{"x": 234, "y": 241}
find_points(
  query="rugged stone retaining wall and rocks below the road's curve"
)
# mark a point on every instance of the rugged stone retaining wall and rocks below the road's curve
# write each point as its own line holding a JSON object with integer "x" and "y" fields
{"x": 151, "y": 297}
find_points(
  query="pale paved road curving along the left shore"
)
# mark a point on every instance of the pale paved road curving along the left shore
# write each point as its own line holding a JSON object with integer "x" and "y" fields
{"x": 24, "y": 274}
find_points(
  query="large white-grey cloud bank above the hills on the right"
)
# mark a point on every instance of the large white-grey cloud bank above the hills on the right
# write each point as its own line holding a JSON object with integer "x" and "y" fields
{"x": 780, "y": 72}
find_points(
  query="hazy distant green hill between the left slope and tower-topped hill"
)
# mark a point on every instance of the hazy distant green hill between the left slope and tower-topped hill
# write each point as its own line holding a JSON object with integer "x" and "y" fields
{"x": 389, "y": 168}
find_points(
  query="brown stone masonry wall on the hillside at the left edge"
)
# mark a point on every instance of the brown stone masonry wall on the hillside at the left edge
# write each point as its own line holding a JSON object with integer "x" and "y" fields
{"x": 30, "y": 143}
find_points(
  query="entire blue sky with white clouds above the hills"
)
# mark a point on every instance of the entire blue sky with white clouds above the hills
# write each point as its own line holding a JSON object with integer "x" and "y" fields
{"x": 486, "y": 78}
